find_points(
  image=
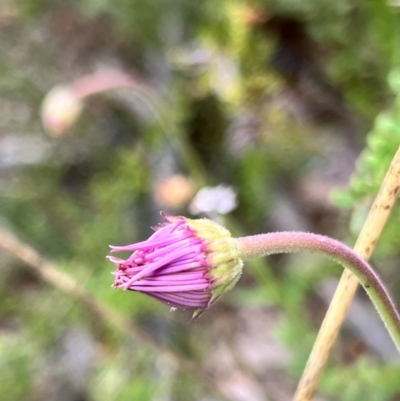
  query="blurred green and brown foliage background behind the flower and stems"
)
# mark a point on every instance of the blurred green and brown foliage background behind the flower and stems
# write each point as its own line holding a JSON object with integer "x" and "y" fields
{"x": 294, "y": 105}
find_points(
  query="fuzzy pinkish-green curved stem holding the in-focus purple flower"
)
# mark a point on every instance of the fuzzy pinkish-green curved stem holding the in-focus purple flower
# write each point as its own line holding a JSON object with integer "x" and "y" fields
{"x": 287, "y": 242}
